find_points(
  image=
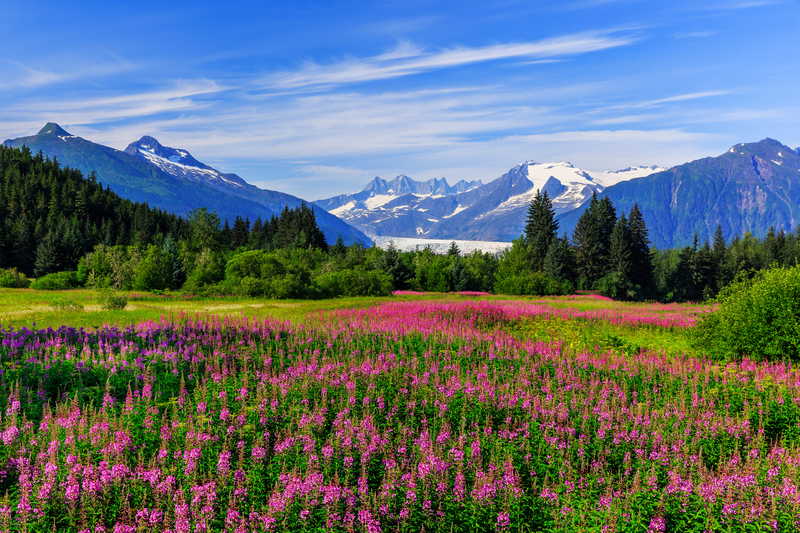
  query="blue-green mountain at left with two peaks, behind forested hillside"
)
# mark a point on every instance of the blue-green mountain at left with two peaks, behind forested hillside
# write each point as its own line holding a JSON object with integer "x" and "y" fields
{"x": 172, "y": 179}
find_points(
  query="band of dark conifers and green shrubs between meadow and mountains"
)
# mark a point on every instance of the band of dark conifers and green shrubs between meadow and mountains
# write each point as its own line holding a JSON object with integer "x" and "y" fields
{"x": 67, "y": 230}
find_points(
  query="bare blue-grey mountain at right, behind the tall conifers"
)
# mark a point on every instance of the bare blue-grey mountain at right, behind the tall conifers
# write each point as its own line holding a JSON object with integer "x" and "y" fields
{"x": 748, "y": 188}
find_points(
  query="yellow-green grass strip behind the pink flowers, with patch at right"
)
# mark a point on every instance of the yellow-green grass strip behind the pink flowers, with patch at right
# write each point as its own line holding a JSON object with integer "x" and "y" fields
{"x": 26, "y": 307}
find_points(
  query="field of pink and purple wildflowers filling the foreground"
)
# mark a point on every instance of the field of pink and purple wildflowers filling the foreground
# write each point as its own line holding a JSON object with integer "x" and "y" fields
{"x": 416, "y": 414}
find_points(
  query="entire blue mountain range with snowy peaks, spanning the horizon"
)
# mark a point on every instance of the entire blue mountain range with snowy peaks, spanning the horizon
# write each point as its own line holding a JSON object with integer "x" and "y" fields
{"x": 749, "y": 188}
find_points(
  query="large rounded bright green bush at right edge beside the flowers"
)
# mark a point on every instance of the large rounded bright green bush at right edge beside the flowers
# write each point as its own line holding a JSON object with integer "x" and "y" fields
{"x": 757, "y": 317}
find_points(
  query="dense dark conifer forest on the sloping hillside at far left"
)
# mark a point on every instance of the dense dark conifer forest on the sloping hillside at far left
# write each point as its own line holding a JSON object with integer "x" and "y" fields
{"x": 50, "y": 216}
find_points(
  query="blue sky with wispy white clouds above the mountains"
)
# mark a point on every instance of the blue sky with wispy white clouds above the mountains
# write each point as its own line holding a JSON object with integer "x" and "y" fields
{"x": 316, "y": 98}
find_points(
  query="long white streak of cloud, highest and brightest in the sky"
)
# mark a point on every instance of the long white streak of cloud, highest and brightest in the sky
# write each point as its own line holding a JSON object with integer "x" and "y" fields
{"x": 408, "y": 59}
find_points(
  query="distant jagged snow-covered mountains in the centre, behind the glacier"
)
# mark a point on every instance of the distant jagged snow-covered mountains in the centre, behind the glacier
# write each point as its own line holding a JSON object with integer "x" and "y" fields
{"x": 494, "y": 211}
